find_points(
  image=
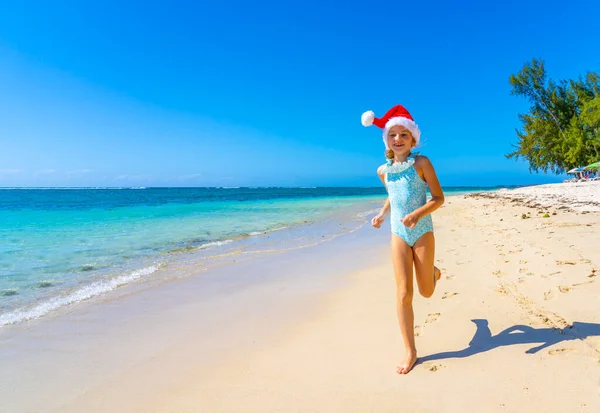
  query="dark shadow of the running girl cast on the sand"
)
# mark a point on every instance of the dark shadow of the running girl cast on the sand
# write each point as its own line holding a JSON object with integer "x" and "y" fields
{"x": 484, "y": 341}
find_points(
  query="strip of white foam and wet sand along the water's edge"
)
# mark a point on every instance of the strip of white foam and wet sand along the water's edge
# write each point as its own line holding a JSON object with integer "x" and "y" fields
{"x": 184, "y": 261}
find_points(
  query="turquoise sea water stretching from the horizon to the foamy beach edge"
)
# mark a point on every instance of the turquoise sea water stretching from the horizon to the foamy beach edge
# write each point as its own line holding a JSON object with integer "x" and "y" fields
{"x": 59, "y": 246}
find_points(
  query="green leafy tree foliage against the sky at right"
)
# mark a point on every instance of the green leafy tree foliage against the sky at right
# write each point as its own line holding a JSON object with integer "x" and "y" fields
{"x": 562, "y": 128}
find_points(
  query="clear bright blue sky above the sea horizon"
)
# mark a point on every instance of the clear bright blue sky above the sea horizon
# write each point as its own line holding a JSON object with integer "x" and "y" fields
{"x": 186, "y": 93}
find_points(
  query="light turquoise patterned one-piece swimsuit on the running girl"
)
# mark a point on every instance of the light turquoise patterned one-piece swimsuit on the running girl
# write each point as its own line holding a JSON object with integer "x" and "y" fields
{"x": 407, "y": 191}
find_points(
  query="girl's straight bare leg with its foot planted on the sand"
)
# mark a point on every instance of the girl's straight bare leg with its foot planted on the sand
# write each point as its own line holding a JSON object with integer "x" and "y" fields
{"x": 402, "y": 258}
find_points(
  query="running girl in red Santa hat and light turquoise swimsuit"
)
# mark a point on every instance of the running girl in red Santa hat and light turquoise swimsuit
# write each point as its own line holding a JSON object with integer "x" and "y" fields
{"x": 406, "y": 177}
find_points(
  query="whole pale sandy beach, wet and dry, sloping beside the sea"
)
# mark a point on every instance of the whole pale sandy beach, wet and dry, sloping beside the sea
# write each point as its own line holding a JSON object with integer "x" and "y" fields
{"x": 514, "y": 326}
